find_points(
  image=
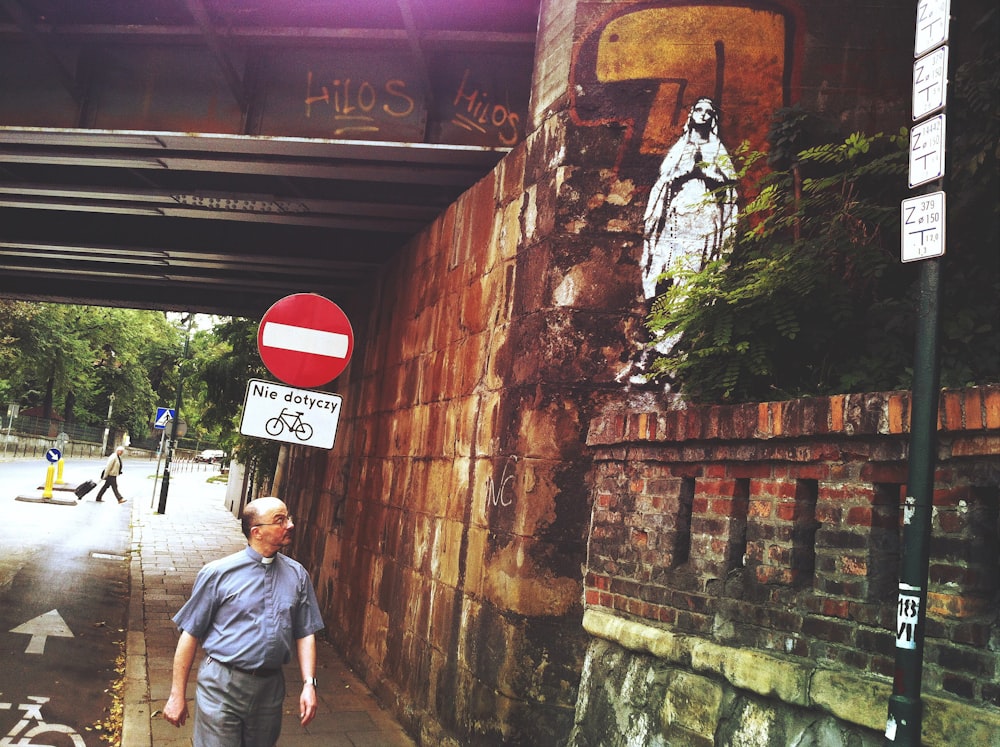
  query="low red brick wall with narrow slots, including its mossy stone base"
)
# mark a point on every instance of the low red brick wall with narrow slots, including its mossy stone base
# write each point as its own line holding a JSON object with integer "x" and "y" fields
{"x": 743, "y": 560}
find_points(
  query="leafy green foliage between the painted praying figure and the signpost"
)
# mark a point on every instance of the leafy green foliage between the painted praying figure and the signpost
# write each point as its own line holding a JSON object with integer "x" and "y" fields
{"x": 810, "y": 297}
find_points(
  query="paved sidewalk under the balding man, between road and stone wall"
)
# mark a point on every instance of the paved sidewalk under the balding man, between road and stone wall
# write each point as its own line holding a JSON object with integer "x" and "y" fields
{"x": 167, "y": 551}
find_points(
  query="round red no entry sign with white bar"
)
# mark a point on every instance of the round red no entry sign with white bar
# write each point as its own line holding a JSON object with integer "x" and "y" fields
{"x": 305, "y": 340}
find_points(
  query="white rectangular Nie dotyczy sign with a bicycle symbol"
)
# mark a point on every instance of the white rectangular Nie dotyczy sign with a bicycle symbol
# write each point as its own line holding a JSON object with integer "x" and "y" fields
{"x": 297, "y": 416}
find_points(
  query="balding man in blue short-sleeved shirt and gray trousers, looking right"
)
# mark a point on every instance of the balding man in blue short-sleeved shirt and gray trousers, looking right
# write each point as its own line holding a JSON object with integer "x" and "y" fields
{"x": 248, "y": 611}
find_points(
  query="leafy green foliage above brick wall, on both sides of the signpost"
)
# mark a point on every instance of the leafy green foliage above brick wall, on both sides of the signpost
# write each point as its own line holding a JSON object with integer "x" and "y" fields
{"x": 811, "y": 297}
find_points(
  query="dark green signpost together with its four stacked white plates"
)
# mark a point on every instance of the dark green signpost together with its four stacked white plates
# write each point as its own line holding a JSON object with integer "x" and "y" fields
{"x": 922, "y": 237}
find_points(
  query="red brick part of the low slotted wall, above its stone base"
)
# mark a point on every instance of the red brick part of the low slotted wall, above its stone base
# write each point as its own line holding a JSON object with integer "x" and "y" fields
{"x": 776, "y": 527}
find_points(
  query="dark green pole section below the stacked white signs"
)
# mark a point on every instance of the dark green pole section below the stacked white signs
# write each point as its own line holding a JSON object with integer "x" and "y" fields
{"x": 904, "y": 724}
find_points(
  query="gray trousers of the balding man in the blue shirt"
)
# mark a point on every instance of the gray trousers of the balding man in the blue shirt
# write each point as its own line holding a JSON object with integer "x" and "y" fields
{"x": 235, "y": 709}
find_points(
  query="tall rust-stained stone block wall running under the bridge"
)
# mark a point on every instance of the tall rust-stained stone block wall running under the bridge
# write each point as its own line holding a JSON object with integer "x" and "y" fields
{"x": 447, "y": 528}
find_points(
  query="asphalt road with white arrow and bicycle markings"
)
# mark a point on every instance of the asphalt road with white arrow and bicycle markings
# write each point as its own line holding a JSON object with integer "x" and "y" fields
{"x": 63, "y": 602}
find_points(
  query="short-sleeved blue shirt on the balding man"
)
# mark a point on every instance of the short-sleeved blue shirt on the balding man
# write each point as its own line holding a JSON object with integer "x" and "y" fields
{"x": 249, "y": 613}
